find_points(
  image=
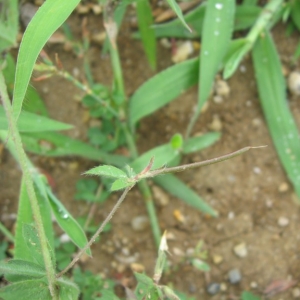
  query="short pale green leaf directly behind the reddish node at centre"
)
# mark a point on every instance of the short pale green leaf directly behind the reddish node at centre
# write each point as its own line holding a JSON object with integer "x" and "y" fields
{"x": 163, "y": 155}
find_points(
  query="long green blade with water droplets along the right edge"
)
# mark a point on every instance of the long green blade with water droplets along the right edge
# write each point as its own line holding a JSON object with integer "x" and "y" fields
{"x": 272, "y": 93}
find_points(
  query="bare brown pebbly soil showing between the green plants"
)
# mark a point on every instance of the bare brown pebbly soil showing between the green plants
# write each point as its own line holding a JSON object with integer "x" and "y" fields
{"x": 246, "y": 191}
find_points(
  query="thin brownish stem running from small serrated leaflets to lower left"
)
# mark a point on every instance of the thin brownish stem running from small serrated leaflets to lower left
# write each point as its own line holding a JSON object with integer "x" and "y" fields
{"x": 100, "y": 229}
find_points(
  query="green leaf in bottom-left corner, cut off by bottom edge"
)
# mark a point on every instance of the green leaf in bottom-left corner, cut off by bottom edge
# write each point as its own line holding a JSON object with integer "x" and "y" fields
{"x": 28, "y": 289}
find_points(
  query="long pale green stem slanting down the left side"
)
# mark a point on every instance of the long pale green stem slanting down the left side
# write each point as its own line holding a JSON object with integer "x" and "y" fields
{"x": 22, "y": 158}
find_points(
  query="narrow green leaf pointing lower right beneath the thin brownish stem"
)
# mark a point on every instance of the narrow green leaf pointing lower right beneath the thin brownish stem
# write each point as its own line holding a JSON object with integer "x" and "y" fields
{"x": 177, "y": 188}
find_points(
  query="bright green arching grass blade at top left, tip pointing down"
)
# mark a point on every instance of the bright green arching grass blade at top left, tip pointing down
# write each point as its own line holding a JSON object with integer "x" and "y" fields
{"x": 44, "y": 23}
